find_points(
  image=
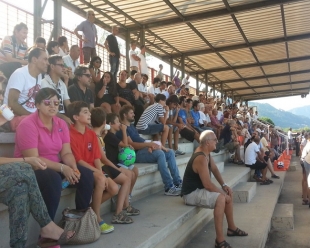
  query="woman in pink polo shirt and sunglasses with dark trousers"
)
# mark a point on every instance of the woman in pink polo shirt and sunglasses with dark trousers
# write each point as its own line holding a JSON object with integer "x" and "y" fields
{"x": 44, "y": 135}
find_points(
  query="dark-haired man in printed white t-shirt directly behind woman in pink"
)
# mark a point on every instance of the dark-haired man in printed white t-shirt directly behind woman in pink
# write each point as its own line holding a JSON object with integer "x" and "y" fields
{"x": 23, "y": 85}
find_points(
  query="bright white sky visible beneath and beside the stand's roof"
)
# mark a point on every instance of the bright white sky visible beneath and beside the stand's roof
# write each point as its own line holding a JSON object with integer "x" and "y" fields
{"x": 71, "y": 20}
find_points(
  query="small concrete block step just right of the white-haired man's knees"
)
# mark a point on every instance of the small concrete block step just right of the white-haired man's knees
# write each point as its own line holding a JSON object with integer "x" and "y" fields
{"x": 244, "y": 192}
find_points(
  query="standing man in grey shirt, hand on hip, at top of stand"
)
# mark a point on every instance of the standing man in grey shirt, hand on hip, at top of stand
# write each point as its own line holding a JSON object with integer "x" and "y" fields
{"x": 89, "y": 36}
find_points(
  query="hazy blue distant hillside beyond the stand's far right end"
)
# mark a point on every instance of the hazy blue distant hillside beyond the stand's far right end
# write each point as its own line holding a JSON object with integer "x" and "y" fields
{"x": 280, "y": 117}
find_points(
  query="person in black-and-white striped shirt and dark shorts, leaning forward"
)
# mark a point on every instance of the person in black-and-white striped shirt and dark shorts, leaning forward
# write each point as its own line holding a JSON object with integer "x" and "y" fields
{"x": 153, "y": 119}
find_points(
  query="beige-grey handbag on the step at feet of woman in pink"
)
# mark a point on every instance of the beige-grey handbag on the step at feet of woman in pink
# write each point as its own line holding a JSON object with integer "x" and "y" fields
{"x": 83, "y": 222}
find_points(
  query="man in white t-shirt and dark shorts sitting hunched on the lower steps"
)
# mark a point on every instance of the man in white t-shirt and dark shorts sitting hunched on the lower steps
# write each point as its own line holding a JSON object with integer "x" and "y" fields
{"x": 255, "y": 160}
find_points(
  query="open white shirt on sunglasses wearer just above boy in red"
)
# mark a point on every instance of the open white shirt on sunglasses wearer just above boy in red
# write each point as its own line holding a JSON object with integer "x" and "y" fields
{"x": 61, "y": 89}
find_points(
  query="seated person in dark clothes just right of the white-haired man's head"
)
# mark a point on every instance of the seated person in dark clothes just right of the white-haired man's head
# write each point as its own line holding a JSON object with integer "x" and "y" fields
{"x": 231, "y": 144}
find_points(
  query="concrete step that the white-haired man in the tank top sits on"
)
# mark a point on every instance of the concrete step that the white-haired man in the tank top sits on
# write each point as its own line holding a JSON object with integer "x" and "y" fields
{"x": 165, "y": 221}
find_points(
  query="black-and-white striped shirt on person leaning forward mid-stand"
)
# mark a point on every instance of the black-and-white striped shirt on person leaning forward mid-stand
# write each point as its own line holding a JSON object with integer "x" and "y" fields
{"x": 150, "y": 115}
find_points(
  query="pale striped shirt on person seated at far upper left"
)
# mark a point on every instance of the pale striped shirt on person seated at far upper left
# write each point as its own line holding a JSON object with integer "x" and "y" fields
{"x": 18, "y": 51}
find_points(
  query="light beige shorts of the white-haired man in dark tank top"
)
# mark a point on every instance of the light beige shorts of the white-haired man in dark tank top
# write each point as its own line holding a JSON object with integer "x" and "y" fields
{"x": 201, "y": 198}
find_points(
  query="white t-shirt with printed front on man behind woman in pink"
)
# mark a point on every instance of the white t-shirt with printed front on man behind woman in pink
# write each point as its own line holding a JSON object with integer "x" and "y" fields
{"x": 27, "y": 85}
